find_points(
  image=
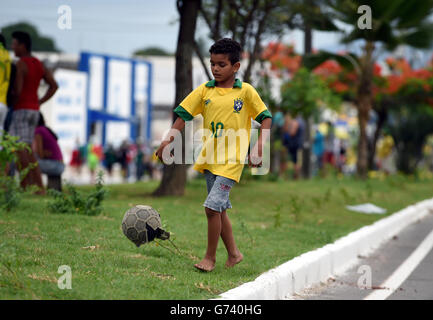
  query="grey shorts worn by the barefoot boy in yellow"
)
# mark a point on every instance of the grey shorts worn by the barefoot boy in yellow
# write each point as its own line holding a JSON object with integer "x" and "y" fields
{"x": 218, "y": 190}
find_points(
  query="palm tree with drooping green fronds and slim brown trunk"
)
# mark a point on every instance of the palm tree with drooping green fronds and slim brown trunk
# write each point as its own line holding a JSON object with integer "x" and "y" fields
{"x": 397, "y": 22}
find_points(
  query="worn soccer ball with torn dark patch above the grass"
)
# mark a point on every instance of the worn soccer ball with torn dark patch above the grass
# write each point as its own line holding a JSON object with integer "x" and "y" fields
{"x": 142, "y": 224}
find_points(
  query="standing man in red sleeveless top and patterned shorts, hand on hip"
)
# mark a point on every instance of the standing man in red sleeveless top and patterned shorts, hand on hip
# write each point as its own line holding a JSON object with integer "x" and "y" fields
{"x": 29, "y": 72}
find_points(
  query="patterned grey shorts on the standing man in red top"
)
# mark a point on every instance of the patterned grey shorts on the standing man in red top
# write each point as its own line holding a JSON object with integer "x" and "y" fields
{"x": 23, "y": 124}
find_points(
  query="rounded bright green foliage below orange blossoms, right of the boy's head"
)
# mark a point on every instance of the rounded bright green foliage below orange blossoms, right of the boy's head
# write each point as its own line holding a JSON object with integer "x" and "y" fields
{"x": 306, "y": 93}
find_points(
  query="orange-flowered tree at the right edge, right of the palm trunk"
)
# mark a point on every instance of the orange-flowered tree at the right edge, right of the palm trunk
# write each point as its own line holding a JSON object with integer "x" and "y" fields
{"x": 410, "y": 119}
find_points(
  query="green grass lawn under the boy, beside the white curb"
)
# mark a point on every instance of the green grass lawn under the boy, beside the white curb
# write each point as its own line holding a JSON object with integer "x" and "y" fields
{"x": 273, "y": 222}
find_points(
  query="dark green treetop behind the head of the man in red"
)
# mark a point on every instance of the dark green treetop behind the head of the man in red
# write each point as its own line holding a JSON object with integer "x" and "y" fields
{"x": 39, "y": 42}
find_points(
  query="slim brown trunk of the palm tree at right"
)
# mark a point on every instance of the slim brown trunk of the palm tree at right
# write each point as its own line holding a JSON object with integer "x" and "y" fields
{"x": 364, "y": 104}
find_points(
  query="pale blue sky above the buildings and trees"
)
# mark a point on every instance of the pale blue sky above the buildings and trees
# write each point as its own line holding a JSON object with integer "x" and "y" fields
{"x": 118, "y": 27}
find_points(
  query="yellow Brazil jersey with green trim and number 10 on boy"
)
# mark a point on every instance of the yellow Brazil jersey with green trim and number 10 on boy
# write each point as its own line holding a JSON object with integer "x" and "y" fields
{"x": 227, "y": 114}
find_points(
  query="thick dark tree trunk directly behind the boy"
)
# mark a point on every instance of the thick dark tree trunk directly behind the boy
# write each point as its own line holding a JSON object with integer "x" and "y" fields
{"x": 174, "y": 176}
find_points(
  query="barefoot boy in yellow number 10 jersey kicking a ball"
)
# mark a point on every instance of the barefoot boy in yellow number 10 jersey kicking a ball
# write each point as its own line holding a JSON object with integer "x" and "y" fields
{"x": 225, "y": 103}
